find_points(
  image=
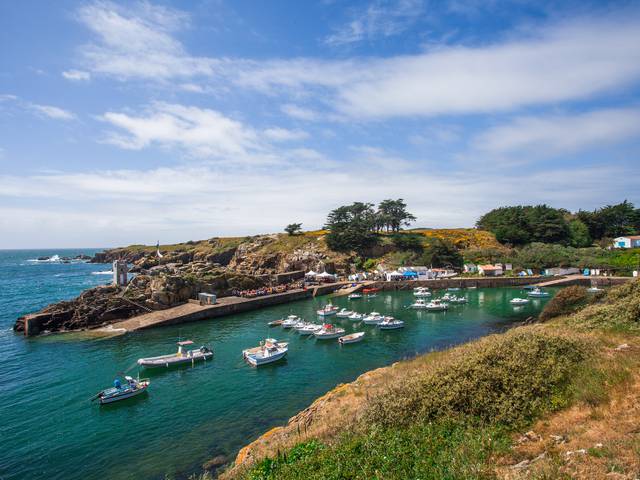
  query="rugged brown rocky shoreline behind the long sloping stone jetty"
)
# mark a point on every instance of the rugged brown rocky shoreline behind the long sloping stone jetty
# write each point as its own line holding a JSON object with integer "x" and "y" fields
{"x": 179, "y": 273}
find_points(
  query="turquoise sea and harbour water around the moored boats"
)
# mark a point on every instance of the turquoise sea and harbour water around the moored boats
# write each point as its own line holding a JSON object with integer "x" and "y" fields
{"x": 49, "y": 429}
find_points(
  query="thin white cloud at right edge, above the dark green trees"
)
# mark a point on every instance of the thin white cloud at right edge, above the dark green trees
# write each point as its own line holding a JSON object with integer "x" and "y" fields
{"x": 561, "y": 134}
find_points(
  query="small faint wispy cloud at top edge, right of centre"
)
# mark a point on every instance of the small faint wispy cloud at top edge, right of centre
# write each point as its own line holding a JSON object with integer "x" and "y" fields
{"x": 382, "y": 18}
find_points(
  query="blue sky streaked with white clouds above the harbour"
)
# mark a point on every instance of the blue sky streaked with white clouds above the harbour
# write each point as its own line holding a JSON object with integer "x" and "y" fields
{"x": 131, "y": 122}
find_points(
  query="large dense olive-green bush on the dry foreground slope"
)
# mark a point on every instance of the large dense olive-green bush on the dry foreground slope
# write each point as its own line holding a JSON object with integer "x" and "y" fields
{"x": 507, "y": 379}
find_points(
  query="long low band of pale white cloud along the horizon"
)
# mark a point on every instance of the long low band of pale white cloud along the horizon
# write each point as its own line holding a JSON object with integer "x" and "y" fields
{"x": 131, "y": 206}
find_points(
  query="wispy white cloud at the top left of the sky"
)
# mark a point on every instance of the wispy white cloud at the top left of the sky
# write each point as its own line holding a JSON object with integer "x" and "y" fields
{"x": 136, "y": 42}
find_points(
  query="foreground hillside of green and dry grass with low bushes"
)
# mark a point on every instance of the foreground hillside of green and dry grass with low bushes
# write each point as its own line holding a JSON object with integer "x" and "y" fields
{"x": 453, "y": 414}
